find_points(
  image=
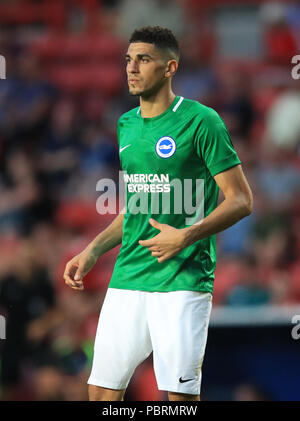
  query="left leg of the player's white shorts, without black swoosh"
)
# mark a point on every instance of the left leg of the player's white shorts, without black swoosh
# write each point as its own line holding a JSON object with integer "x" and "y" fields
{"x": 122, "y": 339}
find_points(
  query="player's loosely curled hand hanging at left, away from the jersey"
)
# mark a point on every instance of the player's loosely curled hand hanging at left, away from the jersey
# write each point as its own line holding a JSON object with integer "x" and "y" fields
{"x": 77, "y": 268}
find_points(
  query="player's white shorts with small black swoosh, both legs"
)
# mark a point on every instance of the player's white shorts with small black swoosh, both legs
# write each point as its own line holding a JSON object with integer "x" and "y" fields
{"x": 132, "y": 324}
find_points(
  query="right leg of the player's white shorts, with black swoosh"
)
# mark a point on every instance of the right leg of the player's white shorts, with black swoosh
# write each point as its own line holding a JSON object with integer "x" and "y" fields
{"x": 178, "y": 323}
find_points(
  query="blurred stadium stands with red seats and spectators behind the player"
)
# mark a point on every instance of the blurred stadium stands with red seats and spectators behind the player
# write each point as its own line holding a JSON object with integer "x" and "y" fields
{"x": 65, "y": 89}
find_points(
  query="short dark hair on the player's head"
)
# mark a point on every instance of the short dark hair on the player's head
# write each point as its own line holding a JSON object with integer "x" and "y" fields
{"x": 162, "y": 38}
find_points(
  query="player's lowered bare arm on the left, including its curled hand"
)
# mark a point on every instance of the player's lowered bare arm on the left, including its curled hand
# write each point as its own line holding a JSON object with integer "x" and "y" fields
{"x": 80, "y": 265}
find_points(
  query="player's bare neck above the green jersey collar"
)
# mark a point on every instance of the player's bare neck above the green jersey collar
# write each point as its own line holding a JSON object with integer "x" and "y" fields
{"x": 156, "y": 104}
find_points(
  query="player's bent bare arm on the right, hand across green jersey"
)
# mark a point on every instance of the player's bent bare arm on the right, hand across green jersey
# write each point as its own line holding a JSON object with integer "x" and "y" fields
{"x": 237, "y": 204}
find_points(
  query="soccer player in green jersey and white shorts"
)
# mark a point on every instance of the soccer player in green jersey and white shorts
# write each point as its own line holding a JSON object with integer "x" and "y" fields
{"x": 160, "y": 295}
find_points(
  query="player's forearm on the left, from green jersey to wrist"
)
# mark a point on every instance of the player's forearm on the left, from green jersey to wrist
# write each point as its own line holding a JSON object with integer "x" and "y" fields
{"x": 109, "y": 238}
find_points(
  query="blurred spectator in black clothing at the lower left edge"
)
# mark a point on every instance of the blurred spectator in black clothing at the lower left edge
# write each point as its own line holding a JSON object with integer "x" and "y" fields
{"x": 27, "y": 297}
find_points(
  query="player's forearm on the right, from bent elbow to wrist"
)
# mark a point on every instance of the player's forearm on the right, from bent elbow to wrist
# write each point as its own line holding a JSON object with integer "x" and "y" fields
{"x": 226, "y": 214}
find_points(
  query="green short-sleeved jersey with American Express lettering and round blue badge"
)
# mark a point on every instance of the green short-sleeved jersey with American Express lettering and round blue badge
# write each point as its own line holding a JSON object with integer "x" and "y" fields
{"x": 169, "y": 162}
